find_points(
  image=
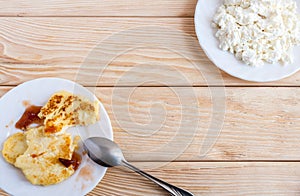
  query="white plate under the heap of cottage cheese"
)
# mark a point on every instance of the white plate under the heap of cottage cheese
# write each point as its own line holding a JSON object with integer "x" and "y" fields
{"x": 226, "y": 61}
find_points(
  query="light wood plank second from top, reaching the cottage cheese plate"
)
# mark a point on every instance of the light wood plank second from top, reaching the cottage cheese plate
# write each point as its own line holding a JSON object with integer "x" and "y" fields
{"x": 100, "y": 51}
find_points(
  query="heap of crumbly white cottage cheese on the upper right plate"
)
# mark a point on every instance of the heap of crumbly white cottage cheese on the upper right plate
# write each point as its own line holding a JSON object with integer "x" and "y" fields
{"x": 258, "y": 31}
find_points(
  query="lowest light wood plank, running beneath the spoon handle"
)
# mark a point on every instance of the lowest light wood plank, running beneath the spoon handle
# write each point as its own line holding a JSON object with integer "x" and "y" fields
{"x": 209, "y": 178}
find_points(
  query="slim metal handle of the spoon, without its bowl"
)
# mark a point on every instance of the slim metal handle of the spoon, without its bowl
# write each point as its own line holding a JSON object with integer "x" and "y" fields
{"x": 173, "y": 190}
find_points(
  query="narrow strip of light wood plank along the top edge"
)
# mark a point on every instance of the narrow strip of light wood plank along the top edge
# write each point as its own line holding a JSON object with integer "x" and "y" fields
{"x": 98, "y": 8}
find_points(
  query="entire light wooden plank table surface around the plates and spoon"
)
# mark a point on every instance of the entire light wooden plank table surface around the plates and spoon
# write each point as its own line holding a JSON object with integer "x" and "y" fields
{"x": 150, "y": 91}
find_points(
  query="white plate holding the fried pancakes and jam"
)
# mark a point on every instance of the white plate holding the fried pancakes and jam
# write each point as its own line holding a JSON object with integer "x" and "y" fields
{"x": 37, "y": 92}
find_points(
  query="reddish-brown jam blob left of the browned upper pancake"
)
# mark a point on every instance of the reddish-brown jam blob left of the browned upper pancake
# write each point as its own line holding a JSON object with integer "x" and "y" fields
{"x": 30, "y": 116}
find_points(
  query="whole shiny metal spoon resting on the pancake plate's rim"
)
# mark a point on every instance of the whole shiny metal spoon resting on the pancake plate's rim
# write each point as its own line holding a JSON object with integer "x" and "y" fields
{"x": 108, "y": 154}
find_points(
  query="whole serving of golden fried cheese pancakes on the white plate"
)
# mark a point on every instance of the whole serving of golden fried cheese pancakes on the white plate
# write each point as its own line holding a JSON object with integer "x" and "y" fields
{"x": 46, "y": 153}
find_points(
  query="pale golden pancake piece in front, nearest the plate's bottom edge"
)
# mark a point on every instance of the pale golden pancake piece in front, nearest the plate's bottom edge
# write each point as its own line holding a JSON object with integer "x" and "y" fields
{"x": 40, "y": 162}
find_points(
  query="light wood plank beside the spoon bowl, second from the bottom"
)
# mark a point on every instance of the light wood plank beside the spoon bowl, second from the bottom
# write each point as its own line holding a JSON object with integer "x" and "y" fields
{"x": 260, "y": 123}
